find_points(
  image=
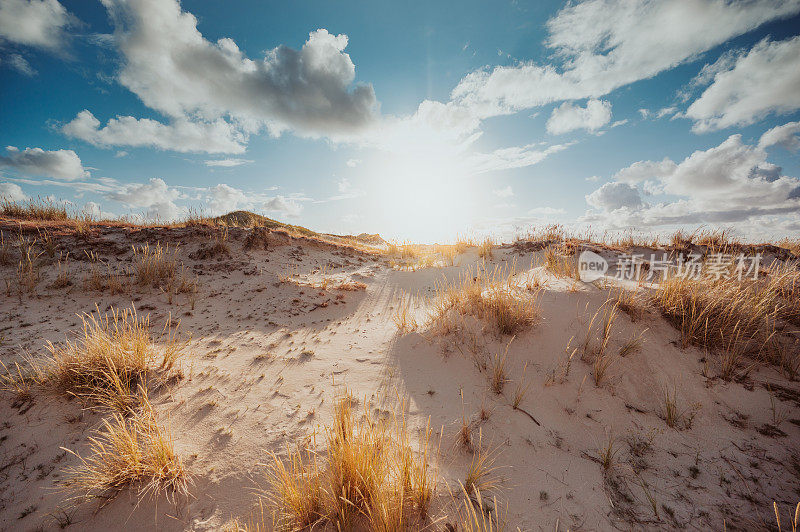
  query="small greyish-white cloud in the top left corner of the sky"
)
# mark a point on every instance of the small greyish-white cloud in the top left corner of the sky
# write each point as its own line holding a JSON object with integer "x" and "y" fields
{"x": 37, "y": 23}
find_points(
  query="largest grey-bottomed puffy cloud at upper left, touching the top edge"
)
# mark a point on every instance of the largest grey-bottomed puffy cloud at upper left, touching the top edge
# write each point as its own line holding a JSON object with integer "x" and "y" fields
{"x": 172, "y": 68}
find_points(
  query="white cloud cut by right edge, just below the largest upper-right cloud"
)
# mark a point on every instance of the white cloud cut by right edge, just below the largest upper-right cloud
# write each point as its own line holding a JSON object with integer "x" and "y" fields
{"x": 764, "y": 80}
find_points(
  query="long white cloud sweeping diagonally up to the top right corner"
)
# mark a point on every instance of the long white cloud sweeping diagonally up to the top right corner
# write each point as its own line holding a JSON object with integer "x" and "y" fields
{"x": 606, "y": 44}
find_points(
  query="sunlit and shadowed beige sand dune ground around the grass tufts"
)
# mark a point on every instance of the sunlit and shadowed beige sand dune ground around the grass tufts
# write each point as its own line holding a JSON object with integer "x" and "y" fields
{"x": 277, "y": 332}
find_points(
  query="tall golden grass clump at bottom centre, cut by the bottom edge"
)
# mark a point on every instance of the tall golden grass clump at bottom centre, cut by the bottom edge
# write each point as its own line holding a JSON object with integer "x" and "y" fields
{"x": 368, "y": 477}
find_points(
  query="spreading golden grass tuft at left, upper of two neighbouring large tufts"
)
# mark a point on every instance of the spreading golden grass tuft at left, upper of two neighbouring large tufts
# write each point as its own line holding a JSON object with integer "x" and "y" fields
{"x": 109, "y": 363}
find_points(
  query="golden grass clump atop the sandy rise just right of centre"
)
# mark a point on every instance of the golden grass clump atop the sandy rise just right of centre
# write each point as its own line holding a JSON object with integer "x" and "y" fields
{"x": 491, "y": 297}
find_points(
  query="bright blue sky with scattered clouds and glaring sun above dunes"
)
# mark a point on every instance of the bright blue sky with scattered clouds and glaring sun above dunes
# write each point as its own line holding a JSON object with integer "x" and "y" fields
{"x": 421, "y": 121}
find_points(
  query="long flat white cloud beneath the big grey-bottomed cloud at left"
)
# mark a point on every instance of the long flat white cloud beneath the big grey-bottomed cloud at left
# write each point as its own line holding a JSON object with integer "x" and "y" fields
{"x": 181, "y": 135}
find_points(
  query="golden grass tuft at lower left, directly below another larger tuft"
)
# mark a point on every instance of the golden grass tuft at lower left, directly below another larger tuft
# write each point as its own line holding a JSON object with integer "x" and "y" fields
{"x": 131, "y": 450}
